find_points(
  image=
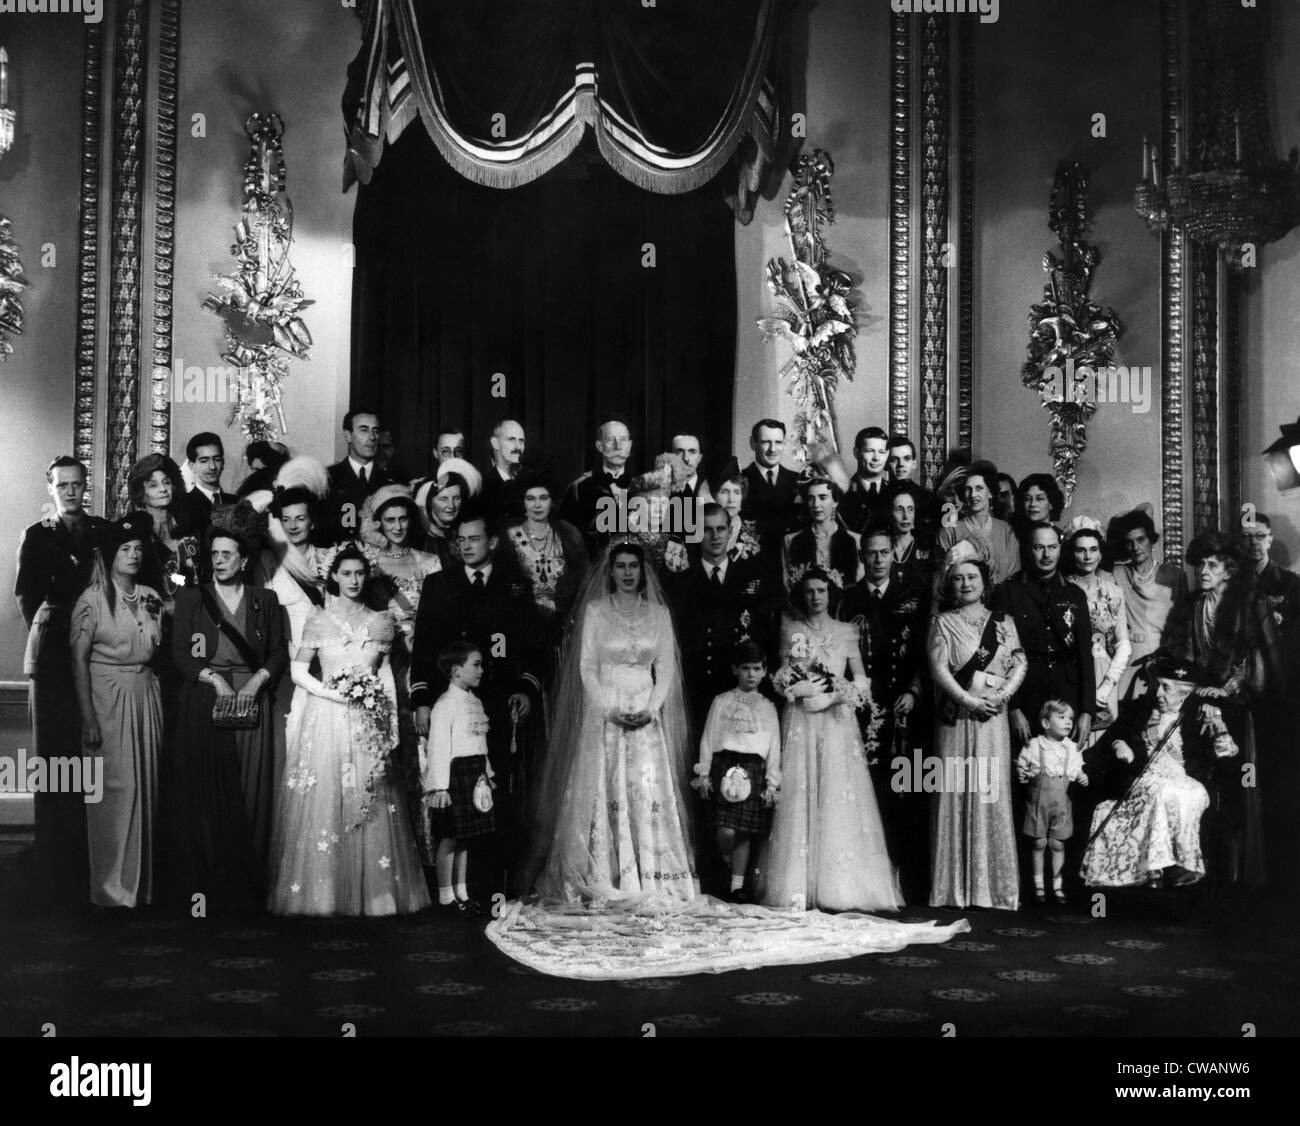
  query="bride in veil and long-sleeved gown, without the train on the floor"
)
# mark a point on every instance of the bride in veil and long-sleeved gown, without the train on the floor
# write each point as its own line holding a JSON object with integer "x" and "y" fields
{"x": 622, "y": 828}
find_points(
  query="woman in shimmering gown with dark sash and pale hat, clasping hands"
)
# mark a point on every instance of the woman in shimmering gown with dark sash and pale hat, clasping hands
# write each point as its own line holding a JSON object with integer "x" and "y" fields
{"x": 977, "y": 665}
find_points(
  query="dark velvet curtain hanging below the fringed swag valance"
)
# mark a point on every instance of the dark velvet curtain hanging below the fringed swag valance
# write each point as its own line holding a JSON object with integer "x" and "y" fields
{"x": 547, "y": 285}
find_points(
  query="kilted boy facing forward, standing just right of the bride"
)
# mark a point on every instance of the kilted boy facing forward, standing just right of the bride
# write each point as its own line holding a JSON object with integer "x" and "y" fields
{"x": 740, "y": 765}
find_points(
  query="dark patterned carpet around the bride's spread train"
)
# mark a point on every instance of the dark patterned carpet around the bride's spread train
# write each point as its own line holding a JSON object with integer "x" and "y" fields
{"x": 1169, "y": 964}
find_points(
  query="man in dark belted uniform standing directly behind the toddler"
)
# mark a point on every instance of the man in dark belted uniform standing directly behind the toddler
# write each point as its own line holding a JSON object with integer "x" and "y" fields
{"x": 1056, "y": 634}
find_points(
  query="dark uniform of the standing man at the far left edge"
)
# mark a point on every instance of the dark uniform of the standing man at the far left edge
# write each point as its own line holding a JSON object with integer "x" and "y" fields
{"x": 54, "y": 570}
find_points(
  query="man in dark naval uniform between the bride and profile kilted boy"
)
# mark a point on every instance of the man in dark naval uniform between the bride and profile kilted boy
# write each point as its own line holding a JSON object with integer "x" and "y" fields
{"x": 484, "y": 601}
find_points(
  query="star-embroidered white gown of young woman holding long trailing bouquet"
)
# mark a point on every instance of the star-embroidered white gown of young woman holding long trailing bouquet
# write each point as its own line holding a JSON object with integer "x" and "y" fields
{"x": 343, "y": 842}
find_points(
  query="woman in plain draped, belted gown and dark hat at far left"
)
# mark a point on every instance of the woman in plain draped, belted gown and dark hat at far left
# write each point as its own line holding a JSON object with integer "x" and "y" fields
{"x": 116, "y": 630}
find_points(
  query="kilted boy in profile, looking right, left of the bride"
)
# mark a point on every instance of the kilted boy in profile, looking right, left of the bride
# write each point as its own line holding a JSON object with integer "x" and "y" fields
{"x": 458, "y": 774}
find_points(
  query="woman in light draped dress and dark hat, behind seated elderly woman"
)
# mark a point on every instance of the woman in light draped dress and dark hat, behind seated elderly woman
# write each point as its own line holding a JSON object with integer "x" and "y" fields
{"x": 1151, "y": 590}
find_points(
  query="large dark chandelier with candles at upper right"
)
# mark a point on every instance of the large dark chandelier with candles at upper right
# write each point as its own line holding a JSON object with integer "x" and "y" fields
{"x": 1229, "y": 190}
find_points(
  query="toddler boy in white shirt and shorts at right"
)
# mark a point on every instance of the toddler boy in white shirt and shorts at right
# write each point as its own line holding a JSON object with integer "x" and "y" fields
{"x": 1050, "y": 764}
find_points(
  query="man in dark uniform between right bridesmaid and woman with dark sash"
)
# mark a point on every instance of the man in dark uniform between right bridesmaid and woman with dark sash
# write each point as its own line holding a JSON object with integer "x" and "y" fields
{"x": 892, "y": 614}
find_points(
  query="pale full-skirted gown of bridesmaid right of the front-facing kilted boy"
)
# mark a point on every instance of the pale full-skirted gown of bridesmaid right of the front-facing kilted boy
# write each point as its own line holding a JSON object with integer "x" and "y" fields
{"x": 827, "y": 847}
